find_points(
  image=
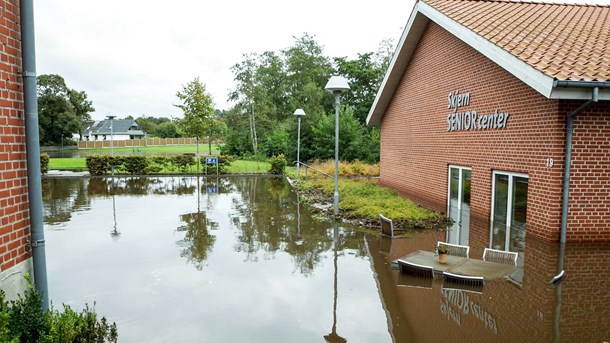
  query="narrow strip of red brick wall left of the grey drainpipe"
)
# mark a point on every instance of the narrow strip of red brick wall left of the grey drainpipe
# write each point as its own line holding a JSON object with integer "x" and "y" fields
{"x": 14, "y": 206}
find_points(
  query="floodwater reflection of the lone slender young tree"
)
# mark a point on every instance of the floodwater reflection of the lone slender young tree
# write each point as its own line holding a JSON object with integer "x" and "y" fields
{"x": 197, "y": 242}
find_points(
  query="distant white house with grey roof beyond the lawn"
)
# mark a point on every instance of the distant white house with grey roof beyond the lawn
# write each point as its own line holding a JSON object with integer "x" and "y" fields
{"x": 120, "y": 129}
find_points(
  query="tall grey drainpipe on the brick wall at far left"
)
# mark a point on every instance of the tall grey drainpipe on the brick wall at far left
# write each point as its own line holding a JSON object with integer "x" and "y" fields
{"x": 28, "y": 53}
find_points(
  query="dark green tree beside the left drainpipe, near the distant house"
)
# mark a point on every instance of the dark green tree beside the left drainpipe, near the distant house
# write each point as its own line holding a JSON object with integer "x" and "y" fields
{"x": 56, "y": 114}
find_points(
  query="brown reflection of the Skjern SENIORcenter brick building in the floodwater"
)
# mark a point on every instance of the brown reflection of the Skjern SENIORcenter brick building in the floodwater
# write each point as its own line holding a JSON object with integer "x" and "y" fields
{"x": 533, "y": 311}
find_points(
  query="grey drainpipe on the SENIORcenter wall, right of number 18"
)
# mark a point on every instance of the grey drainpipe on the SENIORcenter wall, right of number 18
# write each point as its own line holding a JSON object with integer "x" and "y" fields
{"x": 568, "y": 159}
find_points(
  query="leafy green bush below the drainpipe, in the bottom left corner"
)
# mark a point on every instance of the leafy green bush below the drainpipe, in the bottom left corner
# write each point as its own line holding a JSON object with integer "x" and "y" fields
{"x": 23, "y": 320}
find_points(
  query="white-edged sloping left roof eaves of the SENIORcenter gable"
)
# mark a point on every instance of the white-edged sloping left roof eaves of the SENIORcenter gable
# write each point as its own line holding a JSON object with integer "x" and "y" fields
{"x": 402, "y": 55}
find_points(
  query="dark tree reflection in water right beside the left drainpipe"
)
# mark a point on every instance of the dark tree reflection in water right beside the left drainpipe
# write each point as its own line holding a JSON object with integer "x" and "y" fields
{"x": 61, "y": 197}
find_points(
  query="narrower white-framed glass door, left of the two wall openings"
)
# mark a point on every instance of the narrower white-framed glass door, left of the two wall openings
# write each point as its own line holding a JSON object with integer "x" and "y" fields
{"x": 458, "y": 205}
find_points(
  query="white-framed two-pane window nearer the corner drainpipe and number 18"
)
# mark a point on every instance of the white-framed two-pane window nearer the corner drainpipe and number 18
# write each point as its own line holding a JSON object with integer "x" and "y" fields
{"x": 509, "y": 211}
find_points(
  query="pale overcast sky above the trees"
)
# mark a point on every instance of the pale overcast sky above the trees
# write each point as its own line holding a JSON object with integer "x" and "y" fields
{"x": 131, "y": 56}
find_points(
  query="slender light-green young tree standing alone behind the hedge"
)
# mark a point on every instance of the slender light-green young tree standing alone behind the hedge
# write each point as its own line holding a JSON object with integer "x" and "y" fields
{"x": 198, "y": 109}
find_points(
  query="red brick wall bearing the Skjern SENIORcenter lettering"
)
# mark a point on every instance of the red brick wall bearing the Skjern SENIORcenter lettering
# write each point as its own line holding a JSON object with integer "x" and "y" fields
{"x": 417, "y": 148}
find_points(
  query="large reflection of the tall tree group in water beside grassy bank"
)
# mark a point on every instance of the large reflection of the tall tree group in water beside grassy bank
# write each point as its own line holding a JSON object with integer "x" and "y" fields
{"x": 270, "y": 221}
